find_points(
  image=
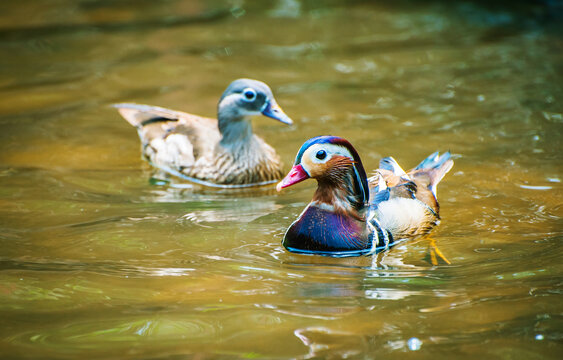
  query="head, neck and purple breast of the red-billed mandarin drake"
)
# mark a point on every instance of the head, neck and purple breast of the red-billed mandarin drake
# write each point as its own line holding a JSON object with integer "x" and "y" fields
{"x": 334, "y": 223}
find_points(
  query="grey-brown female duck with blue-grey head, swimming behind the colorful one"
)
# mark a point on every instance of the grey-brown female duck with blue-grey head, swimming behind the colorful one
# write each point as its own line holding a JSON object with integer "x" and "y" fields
{"x": 222, "y": 152}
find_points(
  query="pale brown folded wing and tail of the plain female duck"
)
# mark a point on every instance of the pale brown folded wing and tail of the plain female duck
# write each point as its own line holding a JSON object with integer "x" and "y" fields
{"x": 171, "y": 139}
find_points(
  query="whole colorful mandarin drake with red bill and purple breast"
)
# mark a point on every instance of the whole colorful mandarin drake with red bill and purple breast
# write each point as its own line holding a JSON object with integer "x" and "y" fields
{"x": 351, "y": 215}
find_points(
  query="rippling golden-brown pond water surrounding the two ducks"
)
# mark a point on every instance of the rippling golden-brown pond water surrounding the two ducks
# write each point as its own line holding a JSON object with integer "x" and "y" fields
{"x": 98, "y": 261}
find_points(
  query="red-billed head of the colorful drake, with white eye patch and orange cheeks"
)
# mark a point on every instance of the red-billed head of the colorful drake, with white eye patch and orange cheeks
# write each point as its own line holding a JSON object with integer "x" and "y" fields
{"x": 336, "y": 166}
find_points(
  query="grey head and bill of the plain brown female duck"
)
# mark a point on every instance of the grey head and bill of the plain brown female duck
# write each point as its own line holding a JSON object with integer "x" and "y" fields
{"x": 246, "y": 97}
